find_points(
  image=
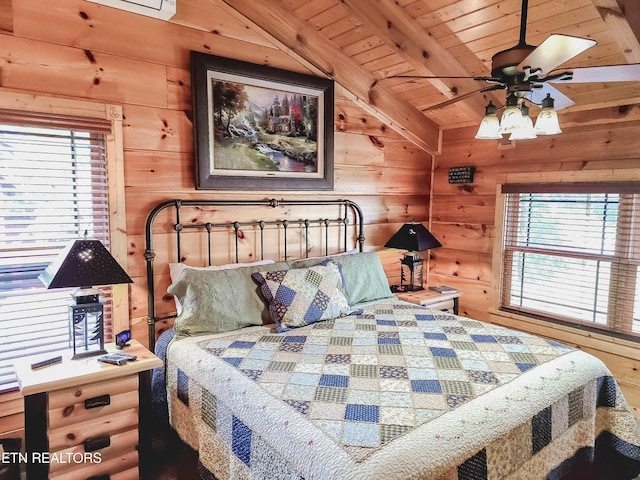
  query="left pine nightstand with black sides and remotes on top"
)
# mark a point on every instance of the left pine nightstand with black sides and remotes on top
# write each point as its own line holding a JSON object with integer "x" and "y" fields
{"x": 85, "y": 418}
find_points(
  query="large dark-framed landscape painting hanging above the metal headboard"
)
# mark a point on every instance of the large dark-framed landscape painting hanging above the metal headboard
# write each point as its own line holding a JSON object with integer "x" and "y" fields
{"x": 260, "y": 128}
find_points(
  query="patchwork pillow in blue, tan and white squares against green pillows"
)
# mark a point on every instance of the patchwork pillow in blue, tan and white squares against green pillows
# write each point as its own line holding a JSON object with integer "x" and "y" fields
{"x": 302, "y": 296}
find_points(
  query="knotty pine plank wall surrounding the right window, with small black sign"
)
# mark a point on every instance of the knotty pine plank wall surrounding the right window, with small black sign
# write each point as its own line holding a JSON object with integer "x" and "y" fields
{"x": 463, "y": 216}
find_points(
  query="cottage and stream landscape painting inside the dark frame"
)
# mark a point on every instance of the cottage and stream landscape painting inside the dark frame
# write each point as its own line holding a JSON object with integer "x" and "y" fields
{"x": 260, "y": 129}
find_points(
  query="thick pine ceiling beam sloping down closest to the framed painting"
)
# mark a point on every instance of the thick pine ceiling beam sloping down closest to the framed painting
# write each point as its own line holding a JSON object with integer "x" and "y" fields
{"x": 302, "y": 41}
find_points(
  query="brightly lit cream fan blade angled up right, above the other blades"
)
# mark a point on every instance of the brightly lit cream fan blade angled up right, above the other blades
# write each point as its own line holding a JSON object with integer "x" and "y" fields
{"x": 554, "y": 51}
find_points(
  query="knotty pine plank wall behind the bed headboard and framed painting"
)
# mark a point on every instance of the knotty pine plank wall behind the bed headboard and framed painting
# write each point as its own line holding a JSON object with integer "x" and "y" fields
{"x": 78, "y": 49}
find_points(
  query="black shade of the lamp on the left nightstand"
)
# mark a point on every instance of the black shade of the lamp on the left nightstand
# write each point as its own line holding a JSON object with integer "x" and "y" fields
{"x": 84, "y": 263}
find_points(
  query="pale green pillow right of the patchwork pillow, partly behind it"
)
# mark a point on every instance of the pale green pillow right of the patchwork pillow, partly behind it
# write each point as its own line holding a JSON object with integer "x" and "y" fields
{"x": 362, "y": 273}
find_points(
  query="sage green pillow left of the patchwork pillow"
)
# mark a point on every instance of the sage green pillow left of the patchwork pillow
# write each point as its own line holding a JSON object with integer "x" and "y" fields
{"x": 215, "y": 301}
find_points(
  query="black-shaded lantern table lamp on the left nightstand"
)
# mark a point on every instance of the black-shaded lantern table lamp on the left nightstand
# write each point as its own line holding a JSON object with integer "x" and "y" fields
{"x": 85, "y": 264}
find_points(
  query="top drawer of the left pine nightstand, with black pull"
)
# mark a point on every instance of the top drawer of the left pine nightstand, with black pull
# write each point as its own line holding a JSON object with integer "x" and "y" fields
{"x": 92, "y": 401}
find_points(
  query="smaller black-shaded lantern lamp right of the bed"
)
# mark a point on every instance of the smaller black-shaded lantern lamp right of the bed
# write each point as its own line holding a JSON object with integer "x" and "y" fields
{"x": 414, "y": 238}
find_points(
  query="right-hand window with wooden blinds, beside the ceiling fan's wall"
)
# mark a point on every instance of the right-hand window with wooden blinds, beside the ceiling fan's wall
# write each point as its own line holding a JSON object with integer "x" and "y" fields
{"x": 571, "y": 252}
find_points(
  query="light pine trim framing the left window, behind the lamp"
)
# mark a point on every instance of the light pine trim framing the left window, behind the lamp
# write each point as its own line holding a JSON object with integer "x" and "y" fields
{"x": 46, "y": 106}
